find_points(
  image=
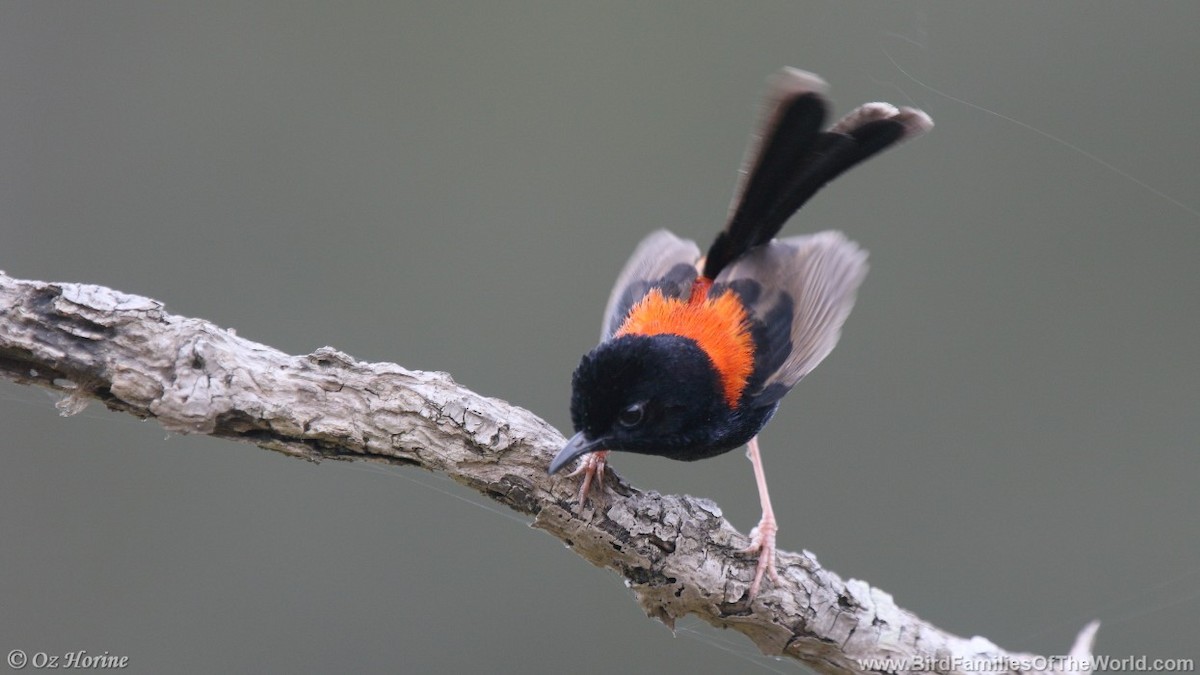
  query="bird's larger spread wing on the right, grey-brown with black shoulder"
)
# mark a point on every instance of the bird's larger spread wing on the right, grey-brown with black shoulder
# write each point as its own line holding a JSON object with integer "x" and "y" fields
{"x": 799, "y": 291}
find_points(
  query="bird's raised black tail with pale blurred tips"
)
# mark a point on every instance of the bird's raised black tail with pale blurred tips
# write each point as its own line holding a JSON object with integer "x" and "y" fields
{"x": 791, "y": 158}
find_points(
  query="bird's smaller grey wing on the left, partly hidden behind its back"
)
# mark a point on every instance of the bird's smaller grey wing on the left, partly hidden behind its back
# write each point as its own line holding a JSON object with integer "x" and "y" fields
{"x": 662, "y": 261}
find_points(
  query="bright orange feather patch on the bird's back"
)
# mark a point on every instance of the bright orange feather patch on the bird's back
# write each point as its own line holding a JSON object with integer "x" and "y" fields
{"x": 718, "y": 325}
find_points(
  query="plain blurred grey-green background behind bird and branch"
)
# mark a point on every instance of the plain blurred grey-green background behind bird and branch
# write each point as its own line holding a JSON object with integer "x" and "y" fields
{"x": 1006, "y": 440}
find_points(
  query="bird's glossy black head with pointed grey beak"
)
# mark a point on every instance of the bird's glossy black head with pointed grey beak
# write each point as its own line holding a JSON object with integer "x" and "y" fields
{"x": 650, "y": 395}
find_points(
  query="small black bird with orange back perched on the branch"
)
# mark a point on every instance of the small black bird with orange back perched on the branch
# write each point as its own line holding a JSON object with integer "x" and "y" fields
{"x": 697, "y": 354}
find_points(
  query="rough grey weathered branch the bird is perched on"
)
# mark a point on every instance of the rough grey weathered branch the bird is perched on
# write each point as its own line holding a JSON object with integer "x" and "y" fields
{"x": 677, "y": 553}
